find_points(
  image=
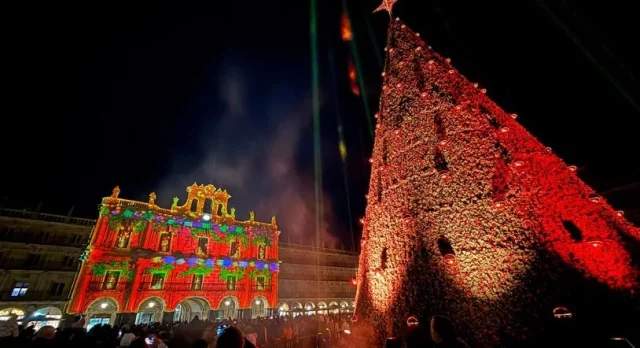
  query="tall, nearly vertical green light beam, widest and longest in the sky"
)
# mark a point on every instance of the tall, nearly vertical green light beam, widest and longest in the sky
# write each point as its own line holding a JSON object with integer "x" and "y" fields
{"x": 315, "y": 105}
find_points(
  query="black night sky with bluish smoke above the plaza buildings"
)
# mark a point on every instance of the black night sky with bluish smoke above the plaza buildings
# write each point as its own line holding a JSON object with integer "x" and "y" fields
{"x": 155, "y": 98}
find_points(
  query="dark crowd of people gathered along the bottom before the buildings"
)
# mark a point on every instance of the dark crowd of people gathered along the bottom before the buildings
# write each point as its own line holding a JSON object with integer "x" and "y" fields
{"x": 280, "y": 332}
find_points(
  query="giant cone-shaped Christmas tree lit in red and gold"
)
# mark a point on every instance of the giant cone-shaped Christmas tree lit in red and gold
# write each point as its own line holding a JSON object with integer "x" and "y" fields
{"x": 469, "y": 216}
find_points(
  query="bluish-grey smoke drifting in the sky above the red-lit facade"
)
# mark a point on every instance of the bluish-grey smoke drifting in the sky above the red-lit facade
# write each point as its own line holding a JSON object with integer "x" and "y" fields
{"x": 258, "y": 164}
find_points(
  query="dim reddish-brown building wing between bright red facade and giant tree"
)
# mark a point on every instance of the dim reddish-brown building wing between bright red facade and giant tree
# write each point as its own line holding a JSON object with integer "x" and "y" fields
{"x": 316, "y": 280}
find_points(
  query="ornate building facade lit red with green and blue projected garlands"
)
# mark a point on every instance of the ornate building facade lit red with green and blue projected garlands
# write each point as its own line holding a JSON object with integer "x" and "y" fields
{"x": 145, "y": 263}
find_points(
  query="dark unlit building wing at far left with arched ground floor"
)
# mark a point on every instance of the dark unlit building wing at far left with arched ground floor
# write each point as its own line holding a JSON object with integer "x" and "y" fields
{"x": 39, "y": 260}
